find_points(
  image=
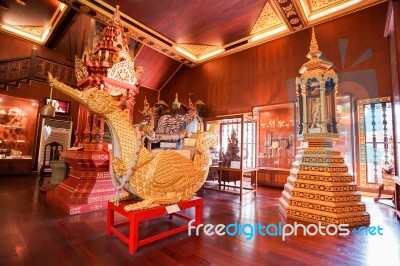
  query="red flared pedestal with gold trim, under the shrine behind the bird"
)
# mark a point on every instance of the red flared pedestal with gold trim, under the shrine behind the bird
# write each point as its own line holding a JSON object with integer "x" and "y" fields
{"x": 88, "y": 186}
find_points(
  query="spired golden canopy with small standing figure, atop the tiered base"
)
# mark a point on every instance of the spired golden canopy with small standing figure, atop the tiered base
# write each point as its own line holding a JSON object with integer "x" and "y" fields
{"x": 316, "y": 92}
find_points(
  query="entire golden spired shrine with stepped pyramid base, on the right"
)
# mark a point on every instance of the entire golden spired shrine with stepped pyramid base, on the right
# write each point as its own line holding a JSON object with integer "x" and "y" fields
{"x": 320, "y": 188}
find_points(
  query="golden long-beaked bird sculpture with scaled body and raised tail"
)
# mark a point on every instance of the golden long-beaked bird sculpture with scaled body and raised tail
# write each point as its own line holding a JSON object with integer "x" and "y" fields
{"x": 165, "y": 177}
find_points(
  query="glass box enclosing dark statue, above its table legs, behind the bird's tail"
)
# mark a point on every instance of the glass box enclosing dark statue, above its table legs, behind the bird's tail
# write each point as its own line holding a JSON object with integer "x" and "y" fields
{"x": 237, "y": 146}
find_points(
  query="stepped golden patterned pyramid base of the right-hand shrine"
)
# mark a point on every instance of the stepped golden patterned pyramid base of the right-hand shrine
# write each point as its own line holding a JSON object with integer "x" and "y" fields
{"x": 320, "y": 189}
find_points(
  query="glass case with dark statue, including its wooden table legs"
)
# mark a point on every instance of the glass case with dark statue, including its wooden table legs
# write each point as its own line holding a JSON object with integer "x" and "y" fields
{"x": 235, "y": 159}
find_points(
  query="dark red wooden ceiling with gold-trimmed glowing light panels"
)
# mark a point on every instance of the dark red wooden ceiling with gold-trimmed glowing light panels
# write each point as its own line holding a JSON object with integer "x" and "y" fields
{"x": 180, "y": 32}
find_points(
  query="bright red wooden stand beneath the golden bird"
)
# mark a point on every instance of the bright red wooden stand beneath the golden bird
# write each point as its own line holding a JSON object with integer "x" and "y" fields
{"x": 135, "y": 217}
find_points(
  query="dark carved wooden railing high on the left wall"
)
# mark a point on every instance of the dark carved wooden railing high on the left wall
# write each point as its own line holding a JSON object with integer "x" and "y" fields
{"x": 24, "y": 69}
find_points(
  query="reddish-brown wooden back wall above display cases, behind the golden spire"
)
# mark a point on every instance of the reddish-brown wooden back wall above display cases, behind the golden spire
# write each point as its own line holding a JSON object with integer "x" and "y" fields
{"x": 265, "y": 74}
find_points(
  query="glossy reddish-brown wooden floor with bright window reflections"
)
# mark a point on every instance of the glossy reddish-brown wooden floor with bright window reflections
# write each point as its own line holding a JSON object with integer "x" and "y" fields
{"x": 34, "y": 231}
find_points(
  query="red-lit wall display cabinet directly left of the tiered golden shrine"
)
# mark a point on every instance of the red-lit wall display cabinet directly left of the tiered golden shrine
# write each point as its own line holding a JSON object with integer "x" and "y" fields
{"x": 278, "y": 142}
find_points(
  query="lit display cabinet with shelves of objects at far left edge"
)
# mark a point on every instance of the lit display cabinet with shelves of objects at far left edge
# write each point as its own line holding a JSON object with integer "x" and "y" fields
{"x": 17, "y": 134}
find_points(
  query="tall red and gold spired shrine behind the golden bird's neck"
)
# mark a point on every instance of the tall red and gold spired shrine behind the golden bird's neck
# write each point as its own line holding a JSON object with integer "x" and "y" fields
{"x": 108, "y": 67}
